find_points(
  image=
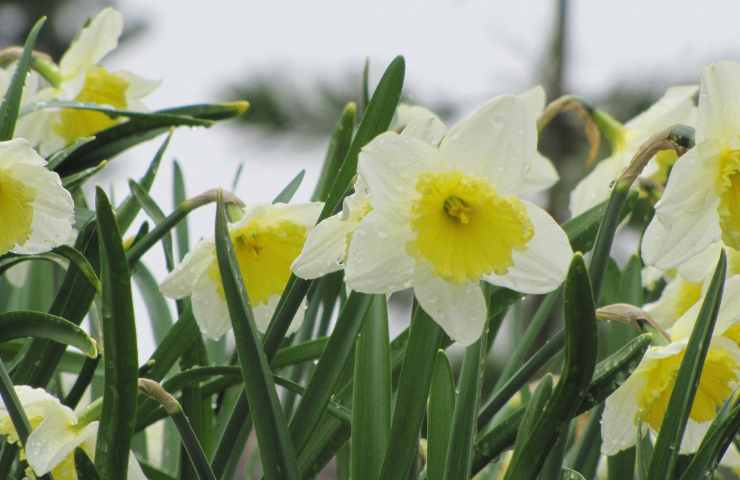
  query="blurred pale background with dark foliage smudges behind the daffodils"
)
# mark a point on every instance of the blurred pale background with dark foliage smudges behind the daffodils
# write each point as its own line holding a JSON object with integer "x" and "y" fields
{"x": 298, "y": 63}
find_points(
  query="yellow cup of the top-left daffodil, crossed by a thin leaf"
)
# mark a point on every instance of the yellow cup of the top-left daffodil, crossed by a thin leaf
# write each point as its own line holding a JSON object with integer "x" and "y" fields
{"x": 101, "y": 87}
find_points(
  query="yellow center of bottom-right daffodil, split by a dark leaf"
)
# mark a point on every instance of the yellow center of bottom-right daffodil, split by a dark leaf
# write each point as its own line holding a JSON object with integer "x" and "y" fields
{"x": 715, "y": 386}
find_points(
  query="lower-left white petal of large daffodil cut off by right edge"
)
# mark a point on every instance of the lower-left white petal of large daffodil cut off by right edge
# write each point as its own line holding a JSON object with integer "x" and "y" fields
{"x": 686, "y": 219}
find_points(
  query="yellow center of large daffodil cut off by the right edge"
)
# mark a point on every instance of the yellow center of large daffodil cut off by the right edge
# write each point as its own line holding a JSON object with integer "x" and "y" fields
{"x": 729, "y": 194}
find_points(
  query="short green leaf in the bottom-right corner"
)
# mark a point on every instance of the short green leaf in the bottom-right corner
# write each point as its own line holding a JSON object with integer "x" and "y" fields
{"x": 716, "y": 441}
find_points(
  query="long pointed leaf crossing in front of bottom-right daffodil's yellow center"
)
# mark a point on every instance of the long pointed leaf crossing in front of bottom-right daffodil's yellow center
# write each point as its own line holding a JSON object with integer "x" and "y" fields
{"x": 665, "y": 455}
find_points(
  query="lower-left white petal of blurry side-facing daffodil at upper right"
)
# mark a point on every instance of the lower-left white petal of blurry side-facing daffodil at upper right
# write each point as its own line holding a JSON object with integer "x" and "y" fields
{"x": 596, "y": 187}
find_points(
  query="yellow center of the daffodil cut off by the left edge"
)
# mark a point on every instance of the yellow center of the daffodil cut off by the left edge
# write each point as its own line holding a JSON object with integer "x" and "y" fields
{"x": 16, "y": 211}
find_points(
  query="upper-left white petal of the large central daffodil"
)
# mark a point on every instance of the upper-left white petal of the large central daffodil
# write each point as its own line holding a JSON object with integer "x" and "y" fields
{"x": 390, "y": 164}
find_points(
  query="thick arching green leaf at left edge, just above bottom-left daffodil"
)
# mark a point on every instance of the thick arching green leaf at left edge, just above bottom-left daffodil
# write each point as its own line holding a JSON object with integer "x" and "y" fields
{"x": 20, "y": 324}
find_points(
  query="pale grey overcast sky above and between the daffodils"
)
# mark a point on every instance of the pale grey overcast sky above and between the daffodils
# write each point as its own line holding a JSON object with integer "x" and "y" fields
{"x": 461, "y": 50}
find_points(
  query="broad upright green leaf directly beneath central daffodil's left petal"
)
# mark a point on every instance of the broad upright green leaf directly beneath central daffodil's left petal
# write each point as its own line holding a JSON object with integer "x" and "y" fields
{"x": 371, "y": 404}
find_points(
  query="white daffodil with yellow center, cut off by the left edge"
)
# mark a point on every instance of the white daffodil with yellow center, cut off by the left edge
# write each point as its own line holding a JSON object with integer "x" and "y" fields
{"x": 36, "y": 212}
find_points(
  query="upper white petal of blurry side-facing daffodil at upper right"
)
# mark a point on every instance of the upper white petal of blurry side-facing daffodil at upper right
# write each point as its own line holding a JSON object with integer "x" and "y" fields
{"x": 675, "y": 106}
